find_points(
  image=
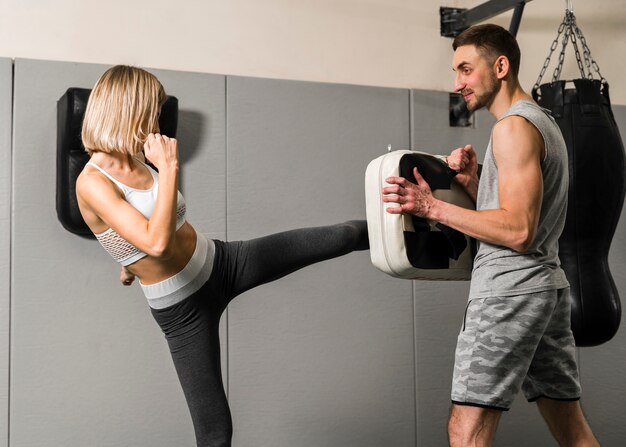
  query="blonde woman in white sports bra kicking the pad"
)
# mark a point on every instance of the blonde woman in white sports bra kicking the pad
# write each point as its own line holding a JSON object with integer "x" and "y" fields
{"x": 188, "y": 279}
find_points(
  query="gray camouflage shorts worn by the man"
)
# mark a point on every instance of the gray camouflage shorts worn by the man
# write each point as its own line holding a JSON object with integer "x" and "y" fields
{"x": 509, "y": 343}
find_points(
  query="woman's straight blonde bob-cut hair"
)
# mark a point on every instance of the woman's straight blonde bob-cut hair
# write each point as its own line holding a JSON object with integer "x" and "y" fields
{"x": 123, "y": 108}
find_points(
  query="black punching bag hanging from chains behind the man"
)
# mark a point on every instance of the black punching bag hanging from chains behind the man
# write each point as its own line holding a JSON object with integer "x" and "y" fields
{"x": 597, "y": 185}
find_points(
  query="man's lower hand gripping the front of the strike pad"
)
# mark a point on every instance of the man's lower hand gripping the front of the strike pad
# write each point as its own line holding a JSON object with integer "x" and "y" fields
{"x": 416, "y": 199}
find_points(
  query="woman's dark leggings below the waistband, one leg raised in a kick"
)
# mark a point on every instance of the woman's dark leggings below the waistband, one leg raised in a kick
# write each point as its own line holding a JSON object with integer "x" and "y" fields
{"x": 191, "y": 327}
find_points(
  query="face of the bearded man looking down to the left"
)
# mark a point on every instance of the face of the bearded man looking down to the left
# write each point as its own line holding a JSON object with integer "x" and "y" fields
{"x": 475, "y": 78}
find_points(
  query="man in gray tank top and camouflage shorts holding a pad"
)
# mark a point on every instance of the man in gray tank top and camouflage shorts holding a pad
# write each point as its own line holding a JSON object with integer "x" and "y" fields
{"x": 516, "y": 333}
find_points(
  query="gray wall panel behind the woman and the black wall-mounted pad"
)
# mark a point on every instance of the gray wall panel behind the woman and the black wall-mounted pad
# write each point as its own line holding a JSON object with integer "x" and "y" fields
{"x": 89, "y": 365}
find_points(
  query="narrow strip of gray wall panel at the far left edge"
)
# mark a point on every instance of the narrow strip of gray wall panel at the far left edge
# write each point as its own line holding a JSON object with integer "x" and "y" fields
{"x": 6, "y": 91}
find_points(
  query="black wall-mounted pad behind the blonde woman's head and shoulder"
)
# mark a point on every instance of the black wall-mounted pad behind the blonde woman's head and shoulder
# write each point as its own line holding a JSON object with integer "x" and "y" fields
{"x": 71, "y": 155}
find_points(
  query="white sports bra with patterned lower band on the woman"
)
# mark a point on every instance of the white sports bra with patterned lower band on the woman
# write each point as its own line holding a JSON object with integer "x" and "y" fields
{"x": 143, "y": 200}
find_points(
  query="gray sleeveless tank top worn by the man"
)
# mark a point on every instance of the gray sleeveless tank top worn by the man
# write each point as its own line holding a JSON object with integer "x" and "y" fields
{"x": 500, "y": 271}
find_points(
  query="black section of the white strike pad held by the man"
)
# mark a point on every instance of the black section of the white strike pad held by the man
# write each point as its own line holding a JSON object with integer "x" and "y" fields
{"x": 428, "y": 249}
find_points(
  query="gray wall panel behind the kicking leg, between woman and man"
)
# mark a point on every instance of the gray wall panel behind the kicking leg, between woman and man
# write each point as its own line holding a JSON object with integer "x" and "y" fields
{"x": 323, "y": 357}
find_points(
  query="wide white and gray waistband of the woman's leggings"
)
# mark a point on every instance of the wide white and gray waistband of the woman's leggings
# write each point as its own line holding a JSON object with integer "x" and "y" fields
{"x": 178, "y": 287}
